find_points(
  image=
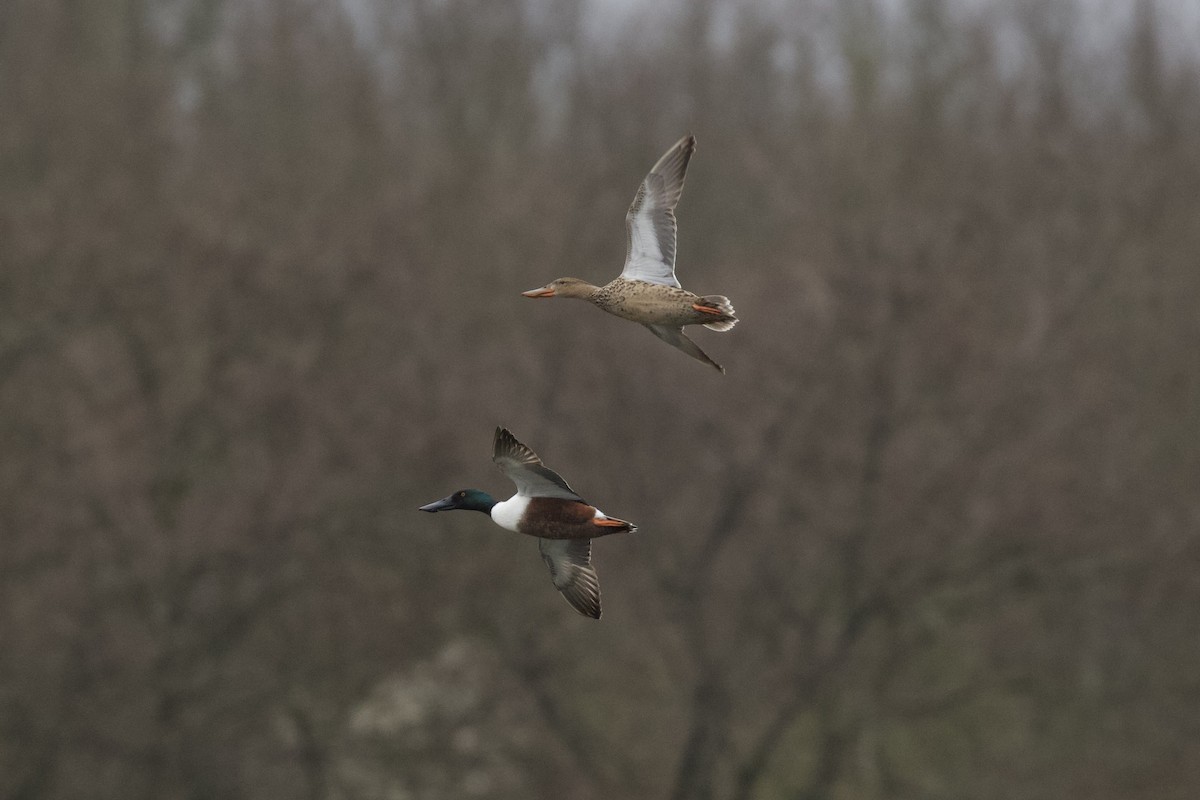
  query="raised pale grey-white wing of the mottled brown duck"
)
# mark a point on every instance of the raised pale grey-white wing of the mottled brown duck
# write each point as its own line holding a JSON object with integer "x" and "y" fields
{"x": 651, "y": 225}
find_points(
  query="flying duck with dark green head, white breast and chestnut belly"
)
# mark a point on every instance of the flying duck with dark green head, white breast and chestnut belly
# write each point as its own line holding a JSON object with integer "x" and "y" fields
{"x": 545, "y": 507}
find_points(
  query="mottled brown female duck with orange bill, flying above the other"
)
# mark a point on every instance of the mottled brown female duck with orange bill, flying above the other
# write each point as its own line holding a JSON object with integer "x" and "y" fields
{"x": 647, "y": 291}
